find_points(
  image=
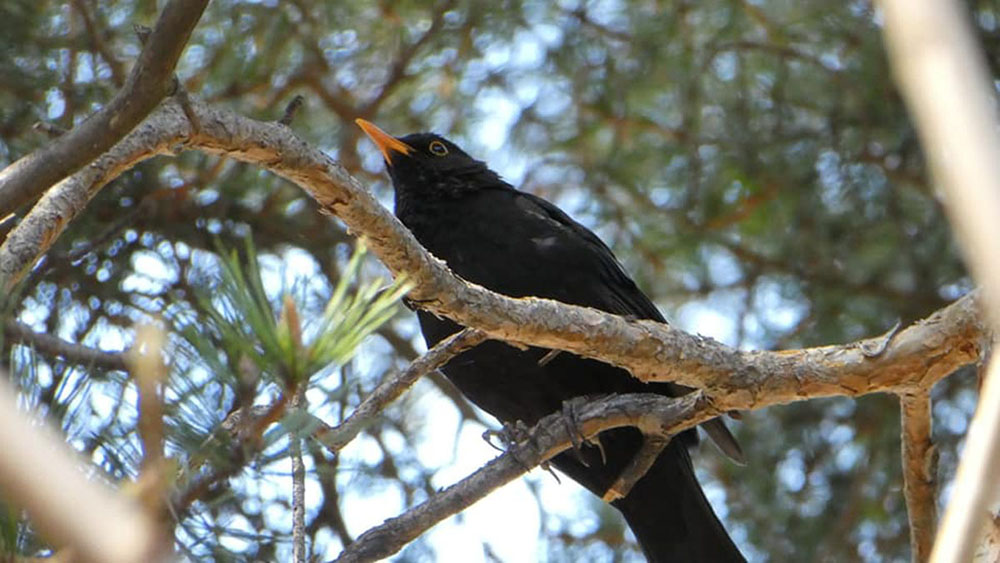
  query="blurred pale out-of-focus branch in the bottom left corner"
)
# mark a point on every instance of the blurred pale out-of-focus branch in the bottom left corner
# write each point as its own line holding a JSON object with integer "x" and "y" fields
{"x": 39, "y": 473}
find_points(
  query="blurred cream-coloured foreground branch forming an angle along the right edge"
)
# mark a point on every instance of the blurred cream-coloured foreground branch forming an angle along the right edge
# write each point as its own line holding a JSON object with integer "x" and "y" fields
{"x": 945, "y": 82}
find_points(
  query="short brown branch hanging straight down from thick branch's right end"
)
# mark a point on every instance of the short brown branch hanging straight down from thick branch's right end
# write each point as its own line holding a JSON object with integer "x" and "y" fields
{"x": 919, "y": 471}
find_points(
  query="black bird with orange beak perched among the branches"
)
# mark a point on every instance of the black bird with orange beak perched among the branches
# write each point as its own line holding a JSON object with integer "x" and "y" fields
{"x": 520, "y": 245}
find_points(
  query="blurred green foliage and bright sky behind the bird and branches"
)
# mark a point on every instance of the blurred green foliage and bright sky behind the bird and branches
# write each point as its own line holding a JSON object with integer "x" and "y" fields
{"x": 749, "y": 160}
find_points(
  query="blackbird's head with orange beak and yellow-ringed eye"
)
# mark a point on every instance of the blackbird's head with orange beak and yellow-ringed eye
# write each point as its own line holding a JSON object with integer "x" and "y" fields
{"x": 426, "y": 166}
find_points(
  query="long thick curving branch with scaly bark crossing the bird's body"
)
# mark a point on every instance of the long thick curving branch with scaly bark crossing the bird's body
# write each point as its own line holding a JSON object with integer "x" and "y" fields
{"x": 919, "y": 355}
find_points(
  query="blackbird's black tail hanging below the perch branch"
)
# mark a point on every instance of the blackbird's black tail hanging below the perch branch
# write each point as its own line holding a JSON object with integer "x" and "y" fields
{"x": 671, "y": 517}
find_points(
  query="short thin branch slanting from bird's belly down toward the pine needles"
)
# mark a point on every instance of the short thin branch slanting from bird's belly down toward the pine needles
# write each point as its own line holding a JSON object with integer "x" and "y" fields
{"x": 335, "y": 438}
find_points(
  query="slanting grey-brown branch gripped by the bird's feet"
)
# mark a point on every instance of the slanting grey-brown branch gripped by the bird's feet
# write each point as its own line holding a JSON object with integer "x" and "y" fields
{"x": 654, "y": 414}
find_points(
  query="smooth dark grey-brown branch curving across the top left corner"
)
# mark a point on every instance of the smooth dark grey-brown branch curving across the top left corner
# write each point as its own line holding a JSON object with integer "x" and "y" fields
{"x": 146, "y": 86}
